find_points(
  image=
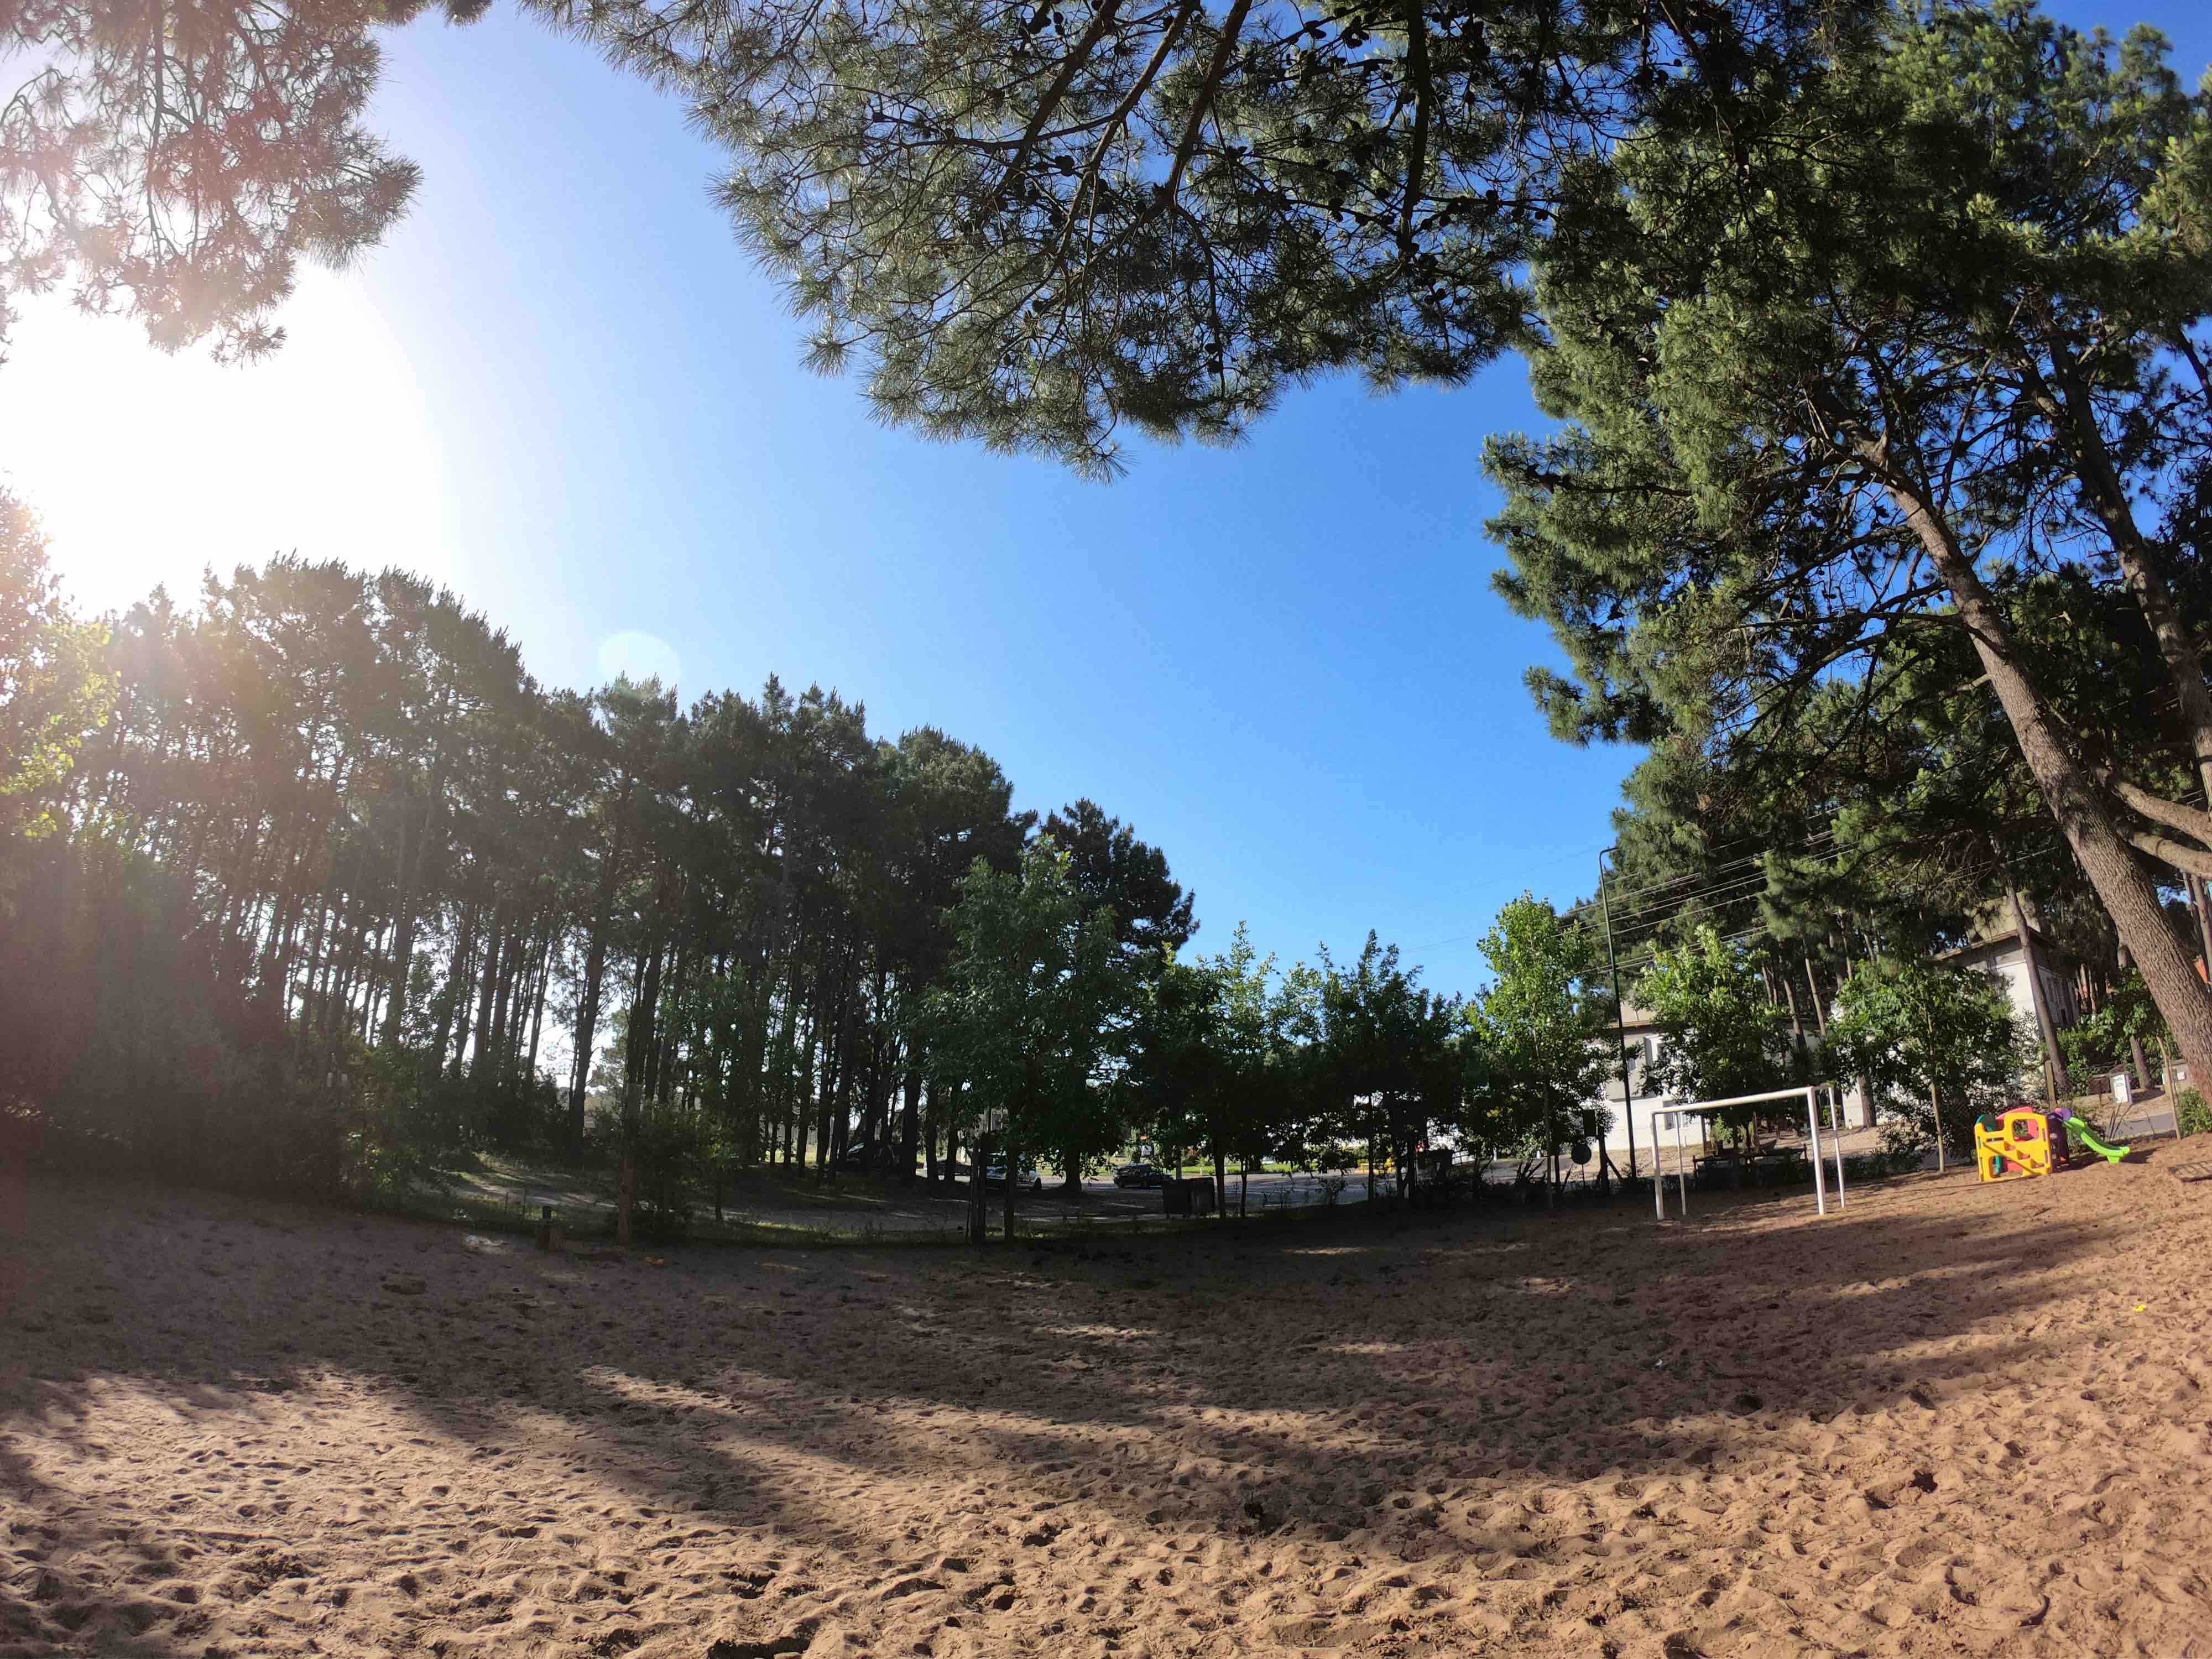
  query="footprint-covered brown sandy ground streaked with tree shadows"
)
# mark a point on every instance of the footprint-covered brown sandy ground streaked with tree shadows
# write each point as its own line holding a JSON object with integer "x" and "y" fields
{"x": 1952, "y": 1421}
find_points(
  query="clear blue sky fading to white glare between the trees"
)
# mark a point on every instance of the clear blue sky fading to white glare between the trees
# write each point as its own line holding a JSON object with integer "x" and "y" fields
{"x": 565, "y": 390}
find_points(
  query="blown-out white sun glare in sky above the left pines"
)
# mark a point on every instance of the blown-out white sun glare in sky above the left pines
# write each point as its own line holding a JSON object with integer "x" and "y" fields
{"x": 149, "y": 470}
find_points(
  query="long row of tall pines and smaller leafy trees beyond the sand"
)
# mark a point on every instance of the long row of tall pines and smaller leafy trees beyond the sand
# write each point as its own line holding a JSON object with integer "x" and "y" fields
{"x": 315, "y": 888}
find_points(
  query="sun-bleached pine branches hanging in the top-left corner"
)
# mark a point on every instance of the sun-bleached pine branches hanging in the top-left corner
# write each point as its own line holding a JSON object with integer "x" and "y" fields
{"x": 176, "y": 163}
